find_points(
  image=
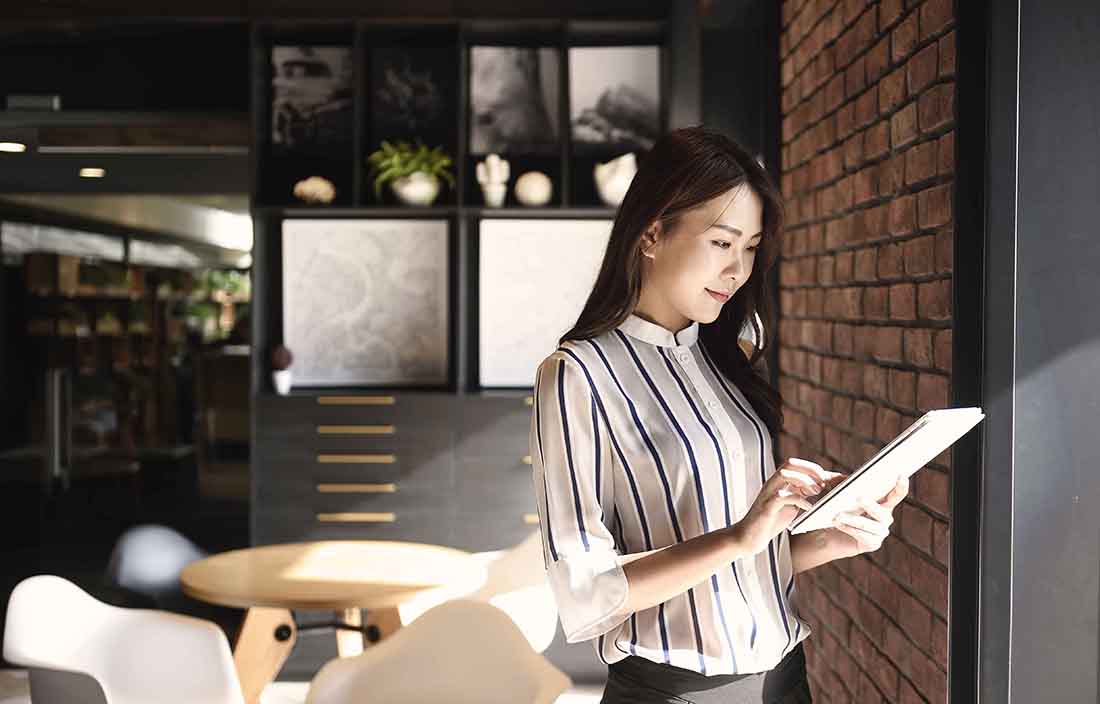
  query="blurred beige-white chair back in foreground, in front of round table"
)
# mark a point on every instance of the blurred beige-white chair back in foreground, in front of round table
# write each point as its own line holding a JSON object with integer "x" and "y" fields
{"x": 463, "y": 652}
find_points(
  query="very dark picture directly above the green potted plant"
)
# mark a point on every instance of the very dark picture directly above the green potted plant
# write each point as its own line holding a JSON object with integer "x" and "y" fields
{"x": 414, "y": 95}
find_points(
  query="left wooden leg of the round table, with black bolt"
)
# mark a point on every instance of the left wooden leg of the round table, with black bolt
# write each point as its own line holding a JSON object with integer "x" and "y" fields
{"x": 267, "y": 637}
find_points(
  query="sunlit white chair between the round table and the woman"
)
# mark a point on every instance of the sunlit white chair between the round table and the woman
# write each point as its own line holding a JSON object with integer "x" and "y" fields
{"x": 516, "y": 584}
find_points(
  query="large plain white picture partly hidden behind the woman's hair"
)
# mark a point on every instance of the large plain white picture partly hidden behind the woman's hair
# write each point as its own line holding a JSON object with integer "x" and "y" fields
{"x": 530, "y": 294}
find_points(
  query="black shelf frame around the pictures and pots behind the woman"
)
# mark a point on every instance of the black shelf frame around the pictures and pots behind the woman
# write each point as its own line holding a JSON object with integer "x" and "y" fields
{"x": 574, "y": 199}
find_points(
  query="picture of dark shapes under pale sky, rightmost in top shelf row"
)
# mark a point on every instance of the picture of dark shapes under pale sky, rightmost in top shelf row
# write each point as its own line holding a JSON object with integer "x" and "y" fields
{"x": 614, "y": 102}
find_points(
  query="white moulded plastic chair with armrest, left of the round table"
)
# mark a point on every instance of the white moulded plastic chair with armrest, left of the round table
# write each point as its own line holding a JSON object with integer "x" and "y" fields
{"x": 137, "y": 656}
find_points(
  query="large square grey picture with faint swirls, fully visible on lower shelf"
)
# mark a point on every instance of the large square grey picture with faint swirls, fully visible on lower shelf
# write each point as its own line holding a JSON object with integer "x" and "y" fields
{"x": 367, "y": 302}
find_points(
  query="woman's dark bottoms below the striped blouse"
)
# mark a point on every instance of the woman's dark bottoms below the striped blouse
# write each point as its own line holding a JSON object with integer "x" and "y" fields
{"x": 643, "y": 681}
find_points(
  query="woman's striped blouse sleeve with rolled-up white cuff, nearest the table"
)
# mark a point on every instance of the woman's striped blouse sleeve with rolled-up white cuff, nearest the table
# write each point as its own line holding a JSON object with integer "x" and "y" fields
{"x": 574, "y": 486}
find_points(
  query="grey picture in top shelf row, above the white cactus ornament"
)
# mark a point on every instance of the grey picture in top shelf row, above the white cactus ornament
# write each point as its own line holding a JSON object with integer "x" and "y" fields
{"x": 514, "y": 101}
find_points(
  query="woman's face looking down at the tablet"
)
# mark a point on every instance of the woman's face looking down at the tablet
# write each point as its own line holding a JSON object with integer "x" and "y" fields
{"x": 711, "y": 249}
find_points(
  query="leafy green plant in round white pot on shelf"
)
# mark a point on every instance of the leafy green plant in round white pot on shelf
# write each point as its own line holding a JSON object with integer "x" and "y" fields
{"x": 412, "y": 171}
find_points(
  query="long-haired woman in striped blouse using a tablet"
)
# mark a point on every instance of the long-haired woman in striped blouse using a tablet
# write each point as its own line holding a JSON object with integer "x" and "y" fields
{"x": 664, "y": 515}
